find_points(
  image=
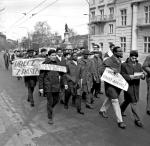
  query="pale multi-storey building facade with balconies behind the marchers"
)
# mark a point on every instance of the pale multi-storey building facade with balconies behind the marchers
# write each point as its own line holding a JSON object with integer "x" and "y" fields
{"x": 123, "y": 22}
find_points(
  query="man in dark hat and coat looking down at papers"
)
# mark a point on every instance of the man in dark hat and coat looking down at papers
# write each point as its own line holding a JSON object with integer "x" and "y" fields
{"x": 128, "y": 69}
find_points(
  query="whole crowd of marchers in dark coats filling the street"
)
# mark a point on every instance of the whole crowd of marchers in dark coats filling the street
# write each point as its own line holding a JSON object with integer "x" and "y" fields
{"x": 83, "y": 80}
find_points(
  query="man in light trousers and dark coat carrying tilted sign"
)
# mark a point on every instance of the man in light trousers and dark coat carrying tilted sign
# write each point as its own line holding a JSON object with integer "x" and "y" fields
{"x": 112, "y": 92}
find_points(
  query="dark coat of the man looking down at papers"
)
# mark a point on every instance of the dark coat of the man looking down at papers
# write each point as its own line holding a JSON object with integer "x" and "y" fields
{"x": 127, "y": 68}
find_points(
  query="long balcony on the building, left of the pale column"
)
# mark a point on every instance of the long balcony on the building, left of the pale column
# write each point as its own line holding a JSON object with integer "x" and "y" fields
{"x": 102, "y": 18}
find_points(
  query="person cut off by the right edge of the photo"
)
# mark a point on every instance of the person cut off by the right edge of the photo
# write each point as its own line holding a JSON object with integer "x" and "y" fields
{"x": 146, "y": 68}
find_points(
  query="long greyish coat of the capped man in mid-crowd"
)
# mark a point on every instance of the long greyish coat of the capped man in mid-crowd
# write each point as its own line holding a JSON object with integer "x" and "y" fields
{"x": 86, "y": 74}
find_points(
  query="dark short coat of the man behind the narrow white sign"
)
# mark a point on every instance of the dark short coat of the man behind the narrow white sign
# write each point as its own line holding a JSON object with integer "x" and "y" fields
{"x": 49, "y": 80}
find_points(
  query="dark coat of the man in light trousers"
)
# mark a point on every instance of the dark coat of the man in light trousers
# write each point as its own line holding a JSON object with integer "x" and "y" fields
{"x": 111, "y": 91}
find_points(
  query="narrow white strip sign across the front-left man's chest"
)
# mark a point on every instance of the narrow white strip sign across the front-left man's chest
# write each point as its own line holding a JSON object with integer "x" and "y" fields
{"x": 53, "y": 67}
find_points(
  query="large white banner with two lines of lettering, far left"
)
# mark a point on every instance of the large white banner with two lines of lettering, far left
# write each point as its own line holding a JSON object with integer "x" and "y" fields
{"x": 26, "y": 67}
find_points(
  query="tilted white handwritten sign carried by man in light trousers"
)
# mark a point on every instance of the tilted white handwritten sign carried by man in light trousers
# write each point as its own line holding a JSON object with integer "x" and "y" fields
{"x": 114, "y": 79}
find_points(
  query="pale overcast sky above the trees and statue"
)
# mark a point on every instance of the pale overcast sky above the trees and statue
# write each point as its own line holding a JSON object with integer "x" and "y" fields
{"x": 15, "y": 24}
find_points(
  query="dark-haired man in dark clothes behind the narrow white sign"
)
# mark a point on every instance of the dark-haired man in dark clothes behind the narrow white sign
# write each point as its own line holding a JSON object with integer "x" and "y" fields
{"x": 49, "y": 84}
